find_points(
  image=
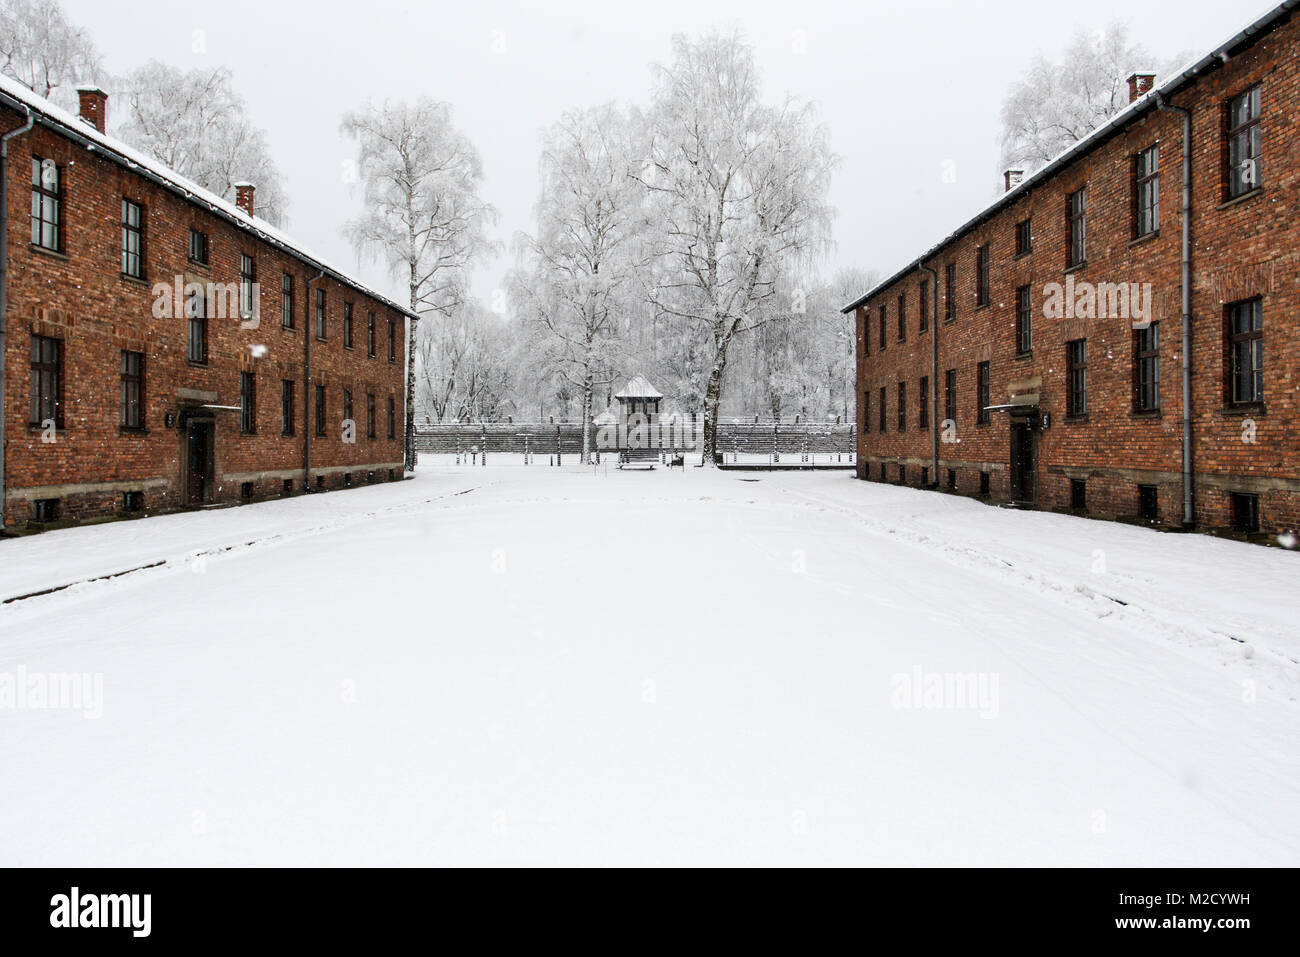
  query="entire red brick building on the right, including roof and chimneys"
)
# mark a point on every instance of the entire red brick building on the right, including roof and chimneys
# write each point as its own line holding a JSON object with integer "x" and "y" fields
{"x": 1043, "y": 353}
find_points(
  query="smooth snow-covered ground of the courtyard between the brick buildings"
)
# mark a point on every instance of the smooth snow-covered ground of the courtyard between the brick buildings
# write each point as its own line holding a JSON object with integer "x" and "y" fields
{"x": 540, "y": 665}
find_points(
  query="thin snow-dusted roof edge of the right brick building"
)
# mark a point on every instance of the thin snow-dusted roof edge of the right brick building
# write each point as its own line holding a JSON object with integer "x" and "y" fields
{"x": 1132, "y": 114}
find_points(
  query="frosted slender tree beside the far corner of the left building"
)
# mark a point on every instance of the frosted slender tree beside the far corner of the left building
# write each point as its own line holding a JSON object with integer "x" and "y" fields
{"x": 423, "y": 215}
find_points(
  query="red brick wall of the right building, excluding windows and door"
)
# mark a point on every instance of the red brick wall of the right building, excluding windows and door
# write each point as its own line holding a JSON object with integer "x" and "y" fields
{"x": 1241, "y": 250}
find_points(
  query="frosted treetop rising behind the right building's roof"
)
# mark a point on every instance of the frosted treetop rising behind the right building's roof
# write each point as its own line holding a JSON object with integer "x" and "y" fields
{"x": 1056, "y": 105}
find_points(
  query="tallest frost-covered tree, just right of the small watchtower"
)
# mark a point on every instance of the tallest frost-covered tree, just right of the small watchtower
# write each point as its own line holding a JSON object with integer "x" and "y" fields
{"x": 739, "y": 194}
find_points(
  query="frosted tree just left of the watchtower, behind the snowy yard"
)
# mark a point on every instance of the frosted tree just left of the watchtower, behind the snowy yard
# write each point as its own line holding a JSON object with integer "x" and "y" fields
{"x": 579, "y": 272}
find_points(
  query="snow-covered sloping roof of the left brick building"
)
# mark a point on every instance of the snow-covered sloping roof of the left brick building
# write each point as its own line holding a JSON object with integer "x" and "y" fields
{"x": 60, "y": 122}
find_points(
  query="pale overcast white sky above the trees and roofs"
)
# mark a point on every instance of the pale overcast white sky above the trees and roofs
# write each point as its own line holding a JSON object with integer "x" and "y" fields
{"x": 903, "y": 86}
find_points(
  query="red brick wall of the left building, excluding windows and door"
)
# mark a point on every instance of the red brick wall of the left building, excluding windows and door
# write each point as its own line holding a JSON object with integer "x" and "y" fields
{"x": 81, "y": 297}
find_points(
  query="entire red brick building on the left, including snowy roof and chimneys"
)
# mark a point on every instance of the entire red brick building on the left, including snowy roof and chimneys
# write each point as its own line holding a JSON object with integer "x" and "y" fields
{"x": 164, "y": 349}
